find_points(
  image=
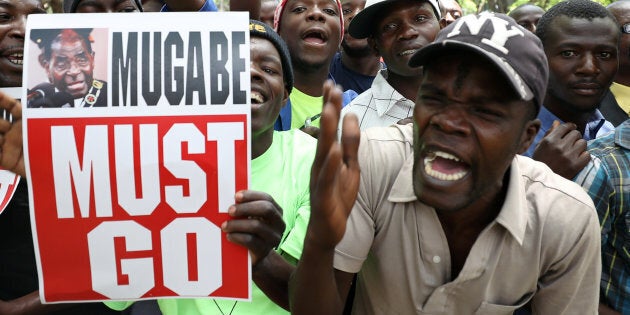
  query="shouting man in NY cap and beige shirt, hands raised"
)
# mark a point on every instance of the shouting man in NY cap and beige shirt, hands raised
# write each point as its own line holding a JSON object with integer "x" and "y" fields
{"x": 448, "y": 218}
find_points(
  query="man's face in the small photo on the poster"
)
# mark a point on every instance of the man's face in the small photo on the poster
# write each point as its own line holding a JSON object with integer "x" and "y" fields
{"x": 70, "y": 66}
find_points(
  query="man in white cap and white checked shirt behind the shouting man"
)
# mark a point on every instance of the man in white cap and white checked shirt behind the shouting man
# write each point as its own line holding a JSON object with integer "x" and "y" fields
{"x": 395, "y": 29}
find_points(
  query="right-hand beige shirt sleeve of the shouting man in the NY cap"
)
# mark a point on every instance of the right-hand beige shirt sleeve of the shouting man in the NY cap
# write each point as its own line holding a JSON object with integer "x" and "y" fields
{"x": 571, "y": 271}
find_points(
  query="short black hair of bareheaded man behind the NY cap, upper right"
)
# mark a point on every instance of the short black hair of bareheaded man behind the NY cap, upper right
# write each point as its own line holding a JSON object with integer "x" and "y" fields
{"x": 581, "y": 9}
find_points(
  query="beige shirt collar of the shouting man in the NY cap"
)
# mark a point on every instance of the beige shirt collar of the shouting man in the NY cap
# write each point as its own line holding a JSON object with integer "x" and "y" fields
{"x": 513, "y": 214}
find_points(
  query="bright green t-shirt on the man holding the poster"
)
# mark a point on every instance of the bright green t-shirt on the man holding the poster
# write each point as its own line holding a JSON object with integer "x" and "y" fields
{"x": 283, "y": 172}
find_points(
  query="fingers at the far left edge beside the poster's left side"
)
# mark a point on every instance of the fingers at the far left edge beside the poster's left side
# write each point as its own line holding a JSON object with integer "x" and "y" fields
{"x": 11, "y": 155}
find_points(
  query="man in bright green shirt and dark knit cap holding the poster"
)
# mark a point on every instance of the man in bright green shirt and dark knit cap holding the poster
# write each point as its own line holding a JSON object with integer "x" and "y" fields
{"x": 271, "y": 219}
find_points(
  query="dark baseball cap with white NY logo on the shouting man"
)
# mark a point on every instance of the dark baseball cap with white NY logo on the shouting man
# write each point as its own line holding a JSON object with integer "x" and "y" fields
{"x": 516, "y": 52}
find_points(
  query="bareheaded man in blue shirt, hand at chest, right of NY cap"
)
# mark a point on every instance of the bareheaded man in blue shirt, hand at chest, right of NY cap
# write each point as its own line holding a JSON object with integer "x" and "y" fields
{"x": 580, "y": 39}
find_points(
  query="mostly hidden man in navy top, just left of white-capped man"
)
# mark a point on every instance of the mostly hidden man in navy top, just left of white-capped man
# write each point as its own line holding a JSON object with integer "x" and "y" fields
{"x": 356, "y": 64}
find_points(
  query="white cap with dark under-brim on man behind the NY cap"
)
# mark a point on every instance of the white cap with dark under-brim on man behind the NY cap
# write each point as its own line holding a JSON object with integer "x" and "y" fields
{"x": 362, "y": 23}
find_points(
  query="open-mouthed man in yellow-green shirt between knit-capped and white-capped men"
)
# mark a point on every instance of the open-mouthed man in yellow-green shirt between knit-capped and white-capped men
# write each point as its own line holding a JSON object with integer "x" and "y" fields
{"x": 312, "y": 30}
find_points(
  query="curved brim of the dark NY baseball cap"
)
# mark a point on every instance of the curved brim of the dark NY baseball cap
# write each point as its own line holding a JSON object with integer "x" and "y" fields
{"x": 426, "y": 54}
